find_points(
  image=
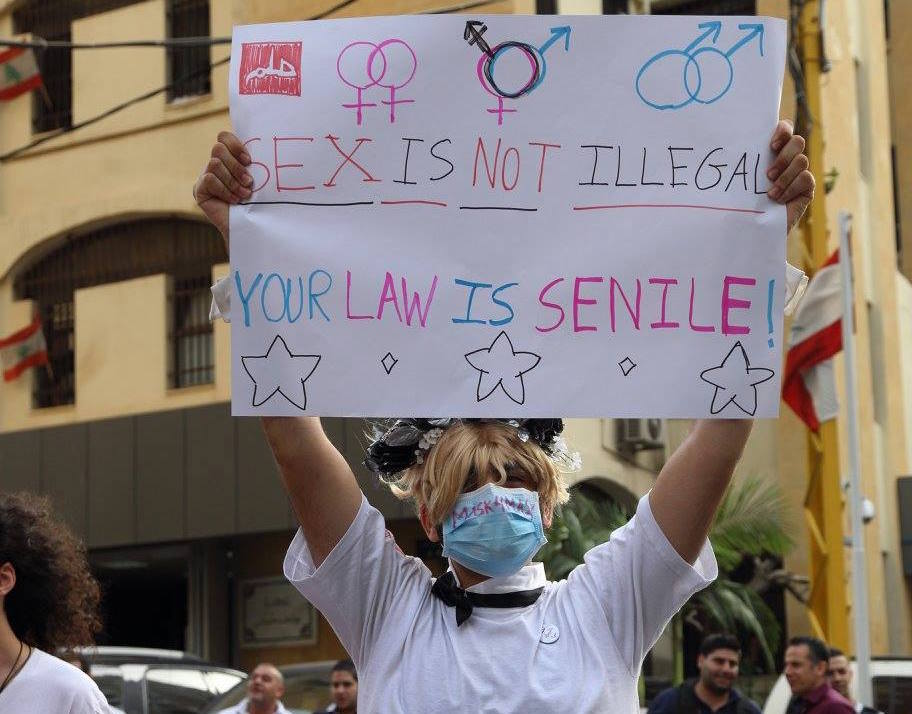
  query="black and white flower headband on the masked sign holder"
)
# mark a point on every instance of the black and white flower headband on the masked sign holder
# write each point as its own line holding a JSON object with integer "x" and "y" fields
{"x": 406, "y": 443}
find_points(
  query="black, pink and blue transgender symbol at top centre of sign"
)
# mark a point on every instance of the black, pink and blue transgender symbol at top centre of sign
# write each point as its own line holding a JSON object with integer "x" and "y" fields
{"x": 529, "y": 78}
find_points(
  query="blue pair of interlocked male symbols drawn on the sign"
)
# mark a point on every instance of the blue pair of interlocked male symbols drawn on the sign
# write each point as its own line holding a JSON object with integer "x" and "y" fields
{"x": 674, "y": 78}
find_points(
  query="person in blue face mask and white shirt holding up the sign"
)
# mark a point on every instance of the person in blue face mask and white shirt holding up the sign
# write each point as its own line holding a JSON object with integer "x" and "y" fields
{"x": 493, "y": 634}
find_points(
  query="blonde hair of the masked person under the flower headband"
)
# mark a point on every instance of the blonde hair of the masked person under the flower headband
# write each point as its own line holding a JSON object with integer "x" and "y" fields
{"x": 479, "y": 449}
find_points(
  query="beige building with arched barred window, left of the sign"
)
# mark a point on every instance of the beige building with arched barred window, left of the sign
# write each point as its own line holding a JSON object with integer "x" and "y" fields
{"x": 129, "y": 430}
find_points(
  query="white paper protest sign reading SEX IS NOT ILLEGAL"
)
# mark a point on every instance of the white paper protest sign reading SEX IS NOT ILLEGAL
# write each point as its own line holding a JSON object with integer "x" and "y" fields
{"x": 508, "y": 216}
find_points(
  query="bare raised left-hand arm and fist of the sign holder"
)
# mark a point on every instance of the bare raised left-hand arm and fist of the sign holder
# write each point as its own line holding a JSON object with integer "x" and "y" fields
{"x": 322, "y": 488}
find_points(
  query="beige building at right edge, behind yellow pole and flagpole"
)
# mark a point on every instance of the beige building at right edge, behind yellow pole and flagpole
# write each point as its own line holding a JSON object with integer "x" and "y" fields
{"x": 864, "y": 124}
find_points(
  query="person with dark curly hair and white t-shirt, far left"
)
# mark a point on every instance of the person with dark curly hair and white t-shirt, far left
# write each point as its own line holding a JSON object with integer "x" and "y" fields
{"x": 48, "y": 602}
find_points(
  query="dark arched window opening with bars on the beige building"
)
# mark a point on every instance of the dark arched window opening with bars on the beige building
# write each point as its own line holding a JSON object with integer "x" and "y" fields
{"x": 183, "y": 249}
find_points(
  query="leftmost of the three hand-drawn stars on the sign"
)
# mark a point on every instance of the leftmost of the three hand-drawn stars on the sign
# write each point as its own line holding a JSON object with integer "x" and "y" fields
{"x": 280, "y": 371}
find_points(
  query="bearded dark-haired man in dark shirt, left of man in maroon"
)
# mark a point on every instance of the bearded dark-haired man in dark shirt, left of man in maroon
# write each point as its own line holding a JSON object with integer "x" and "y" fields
{"x": 713, "y": 691}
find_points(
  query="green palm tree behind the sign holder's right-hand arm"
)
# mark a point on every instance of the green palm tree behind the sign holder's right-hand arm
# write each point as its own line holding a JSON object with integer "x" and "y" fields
{"x": 750, "y": 525}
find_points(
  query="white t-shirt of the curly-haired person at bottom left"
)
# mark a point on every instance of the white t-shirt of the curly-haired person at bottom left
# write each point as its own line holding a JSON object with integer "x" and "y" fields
{"x": 47, "y": 685}
